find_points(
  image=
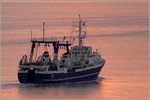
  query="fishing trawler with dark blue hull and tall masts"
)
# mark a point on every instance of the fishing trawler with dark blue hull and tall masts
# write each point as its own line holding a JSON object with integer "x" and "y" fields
{"x": 79, "y": 63}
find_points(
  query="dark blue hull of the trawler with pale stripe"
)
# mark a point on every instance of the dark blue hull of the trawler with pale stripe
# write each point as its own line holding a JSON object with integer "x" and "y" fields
{"x": 40, "y": 78}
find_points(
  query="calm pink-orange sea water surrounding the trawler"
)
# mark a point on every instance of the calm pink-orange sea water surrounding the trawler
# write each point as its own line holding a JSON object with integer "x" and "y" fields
{"x": 118, "y": 30}
